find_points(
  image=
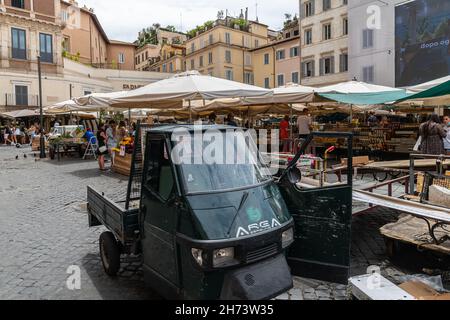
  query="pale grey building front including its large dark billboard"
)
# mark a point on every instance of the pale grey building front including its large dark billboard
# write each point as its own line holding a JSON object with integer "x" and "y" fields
{"x": 399, "y": 43}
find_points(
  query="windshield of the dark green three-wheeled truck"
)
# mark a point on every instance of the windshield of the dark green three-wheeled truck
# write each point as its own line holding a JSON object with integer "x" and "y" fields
{"x": 219, "y": 160}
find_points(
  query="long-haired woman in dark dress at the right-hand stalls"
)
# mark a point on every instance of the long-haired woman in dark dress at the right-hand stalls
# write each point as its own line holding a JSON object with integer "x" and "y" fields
{"x": 432, "y": 134}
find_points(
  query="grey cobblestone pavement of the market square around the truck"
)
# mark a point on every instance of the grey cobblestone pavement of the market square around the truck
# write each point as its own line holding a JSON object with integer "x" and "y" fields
{"x": 44, "y": 230}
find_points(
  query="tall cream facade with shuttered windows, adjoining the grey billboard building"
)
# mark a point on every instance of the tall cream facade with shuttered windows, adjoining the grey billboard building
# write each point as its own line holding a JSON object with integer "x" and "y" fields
{"x": 324, "y": 47}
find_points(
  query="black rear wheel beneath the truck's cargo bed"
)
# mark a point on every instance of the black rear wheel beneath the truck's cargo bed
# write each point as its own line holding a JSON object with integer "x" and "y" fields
{"x": 109, "y": 253}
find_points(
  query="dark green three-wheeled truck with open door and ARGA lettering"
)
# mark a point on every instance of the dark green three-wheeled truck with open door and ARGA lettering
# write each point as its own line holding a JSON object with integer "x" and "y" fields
{"x": 222, "y": 231}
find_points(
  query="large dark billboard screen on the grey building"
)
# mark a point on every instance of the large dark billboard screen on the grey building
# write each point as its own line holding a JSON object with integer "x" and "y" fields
{"x": 422, "y": 38}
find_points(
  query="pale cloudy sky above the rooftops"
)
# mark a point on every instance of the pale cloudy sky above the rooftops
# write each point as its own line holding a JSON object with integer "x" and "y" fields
{"x": 122, "y": 20}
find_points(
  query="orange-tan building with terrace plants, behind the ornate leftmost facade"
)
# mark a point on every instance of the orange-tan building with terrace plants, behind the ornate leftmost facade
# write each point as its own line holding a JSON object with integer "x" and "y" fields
{"x": 85, "y": 40}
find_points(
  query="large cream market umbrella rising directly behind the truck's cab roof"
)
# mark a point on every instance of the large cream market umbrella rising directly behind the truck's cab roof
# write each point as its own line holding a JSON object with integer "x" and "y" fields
{"x": 186, "y": 86}
